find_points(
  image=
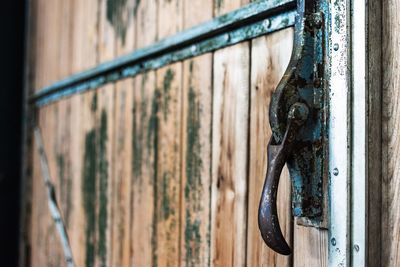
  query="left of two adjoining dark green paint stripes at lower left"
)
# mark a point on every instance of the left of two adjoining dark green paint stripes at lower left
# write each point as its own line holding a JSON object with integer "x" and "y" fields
{"x": 89, "y": 195}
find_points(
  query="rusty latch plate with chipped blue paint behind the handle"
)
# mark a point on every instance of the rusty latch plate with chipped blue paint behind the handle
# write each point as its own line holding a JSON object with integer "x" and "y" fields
{"x": 304, "y": 82}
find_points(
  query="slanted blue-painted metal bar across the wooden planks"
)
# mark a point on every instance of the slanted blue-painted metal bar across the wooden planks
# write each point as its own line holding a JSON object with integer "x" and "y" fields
{"x": 253, "y": 20}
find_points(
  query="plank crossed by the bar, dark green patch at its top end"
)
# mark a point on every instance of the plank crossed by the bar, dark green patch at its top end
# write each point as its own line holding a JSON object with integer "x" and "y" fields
{"x": 121, "y": 15}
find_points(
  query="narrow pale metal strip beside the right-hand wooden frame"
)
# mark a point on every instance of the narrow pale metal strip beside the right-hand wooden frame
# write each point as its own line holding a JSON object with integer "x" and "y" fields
{"x": 359, "y": 142}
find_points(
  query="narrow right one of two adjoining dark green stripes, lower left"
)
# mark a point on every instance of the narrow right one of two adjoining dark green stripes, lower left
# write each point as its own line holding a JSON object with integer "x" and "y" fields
{"x": 103, "y": 188}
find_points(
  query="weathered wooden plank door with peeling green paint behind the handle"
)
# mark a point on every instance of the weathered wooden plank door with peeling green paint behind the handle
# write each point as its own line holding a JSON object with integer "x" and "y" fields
{"x": 162, "y": 166}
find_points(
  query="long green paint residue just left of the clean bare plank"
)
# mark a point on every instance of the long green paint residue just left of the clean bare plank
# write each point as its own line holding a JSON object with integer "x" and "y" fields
{"x": 193, "y": 187}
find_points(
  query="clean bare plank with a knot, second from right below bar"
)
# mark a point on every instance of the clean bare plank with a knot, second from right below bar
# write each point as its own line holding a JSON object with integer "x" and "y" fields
{"x": 229, "y": 155}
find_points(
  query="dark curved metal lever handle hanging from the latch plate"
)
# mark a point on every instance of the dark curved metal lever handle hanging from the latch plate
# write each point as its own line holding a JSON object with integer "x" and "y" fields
{"x": 278, "y": 154}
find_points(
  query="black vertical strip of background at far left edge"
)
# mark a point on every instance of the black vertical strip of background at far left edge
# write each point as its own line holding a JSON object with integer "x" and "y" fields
{"x": 12, "y": 24}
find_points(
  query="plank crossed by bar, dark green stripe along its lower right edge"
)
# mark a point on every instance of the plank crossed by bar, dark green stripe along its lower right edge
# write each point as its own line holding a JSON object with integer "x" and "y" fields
{"x": 84, "y": 45}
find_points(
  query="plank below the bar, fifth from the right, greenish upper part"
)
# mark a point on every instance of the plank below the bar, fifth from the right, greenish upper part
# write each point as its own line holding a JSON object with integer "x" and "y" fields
{"x": 143, "y": 238}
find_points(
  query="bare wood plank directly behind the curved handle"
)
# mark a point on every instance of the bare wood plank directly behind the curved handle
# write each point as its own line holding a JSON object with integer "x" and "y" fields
{"x": 270, "y": 56}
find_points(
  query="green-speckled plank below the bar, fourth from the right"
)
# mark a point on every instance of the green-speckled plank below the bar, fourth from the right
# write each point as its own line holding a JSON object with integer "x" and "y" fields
{"x": 169, "y": 86}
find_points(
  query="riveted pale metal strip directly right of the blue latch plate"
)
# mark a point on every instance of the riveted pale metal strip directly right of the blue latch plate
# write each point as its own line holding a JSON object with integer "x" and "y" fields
{"x": 339, "y": 133}
